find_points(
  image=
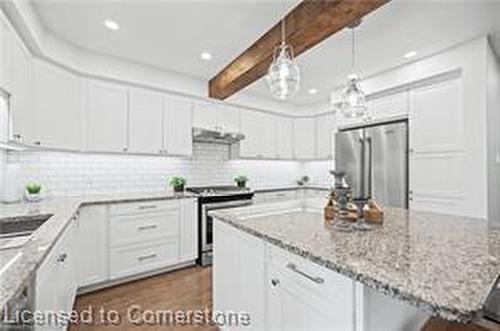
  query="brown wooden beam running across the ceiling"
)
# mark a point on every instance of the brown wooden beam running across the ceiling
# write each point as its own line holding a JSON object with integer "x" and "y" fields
{"x": 309, "y": 23}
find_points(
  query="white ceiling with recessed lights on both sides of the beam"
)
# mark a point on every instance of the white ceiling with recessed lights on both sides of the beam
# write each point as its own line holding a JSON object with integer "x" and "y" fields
{"x": 171, "y": 34}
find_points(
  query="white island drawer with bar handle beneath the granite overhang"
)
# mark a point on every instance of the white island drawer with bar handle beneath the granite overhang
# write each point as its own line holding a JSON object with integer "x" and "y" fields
{"x": 323, "y": 282}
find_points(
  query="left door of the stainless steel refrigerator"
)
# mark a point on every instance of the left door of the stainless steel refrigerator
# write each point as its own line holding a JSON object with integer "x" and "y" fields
{"x": 348, "y": 156}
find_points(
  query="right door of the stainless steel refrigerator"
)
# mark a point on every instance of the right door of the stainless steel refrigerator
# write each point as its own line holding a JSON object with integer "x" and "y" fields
{"x": 387, "y": 148}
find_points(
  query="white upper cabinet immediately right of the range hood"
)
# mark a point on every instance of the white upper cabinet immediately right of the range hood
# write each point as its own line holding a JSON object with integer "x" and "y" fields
{"x": 260, "y": 135}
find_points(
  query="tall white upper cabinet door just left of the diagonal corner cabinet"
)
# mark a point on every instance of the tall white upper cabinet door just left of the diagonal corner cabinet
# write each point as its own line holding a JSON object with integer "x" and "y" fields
{"x": 21, "y": 92}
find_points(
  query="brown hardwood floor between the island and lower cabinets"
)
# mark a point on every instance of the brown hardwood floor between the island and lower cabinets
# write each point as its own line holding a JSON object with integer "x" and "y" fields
{"x": 148, "y": 301}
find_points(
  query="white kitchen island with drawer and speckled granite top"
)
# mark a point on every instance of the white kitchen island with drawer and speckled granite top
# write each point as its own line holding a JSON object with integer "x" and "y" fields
{"x": 295, "y": 270}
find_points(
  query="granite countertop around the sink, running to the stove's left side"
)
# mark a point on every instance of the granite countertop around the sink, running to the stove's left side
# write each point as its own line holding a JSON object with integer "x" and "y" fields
{"x": 18, "y": 265}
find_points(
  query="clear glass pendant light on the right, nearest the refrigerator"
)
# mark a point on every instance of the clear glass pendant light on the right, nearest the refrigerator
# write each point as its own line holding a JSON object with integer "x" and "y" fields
{"x": 352, "y": 98}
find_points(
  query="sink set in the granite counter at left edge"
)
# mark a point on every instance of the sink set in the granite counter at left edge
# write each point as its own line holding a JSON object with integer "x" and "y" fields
{"x": 15, "y": 232}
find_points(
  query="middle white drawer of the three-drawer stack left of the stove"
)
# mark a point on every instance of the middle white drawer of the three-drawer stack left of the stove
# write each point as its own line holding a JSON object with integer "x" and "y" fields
{"x": 143, "y": 228}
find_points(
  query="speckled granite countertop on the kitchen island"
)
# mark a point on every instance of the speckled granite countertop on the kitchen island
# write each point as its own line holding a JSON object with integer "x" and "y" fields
{"x": 446, "y": 265}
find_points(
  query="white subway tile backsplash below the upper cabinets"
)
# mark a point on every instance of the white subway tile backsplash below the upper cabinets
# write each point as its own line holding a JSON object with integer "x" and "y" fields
{"x": 75, "y": 174}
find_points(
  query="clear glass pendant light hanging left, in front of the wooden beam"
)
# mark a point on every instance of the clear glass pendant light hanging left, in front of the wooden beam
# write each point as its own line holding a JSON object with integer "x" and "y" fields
{"x": 283, "y": 76}
